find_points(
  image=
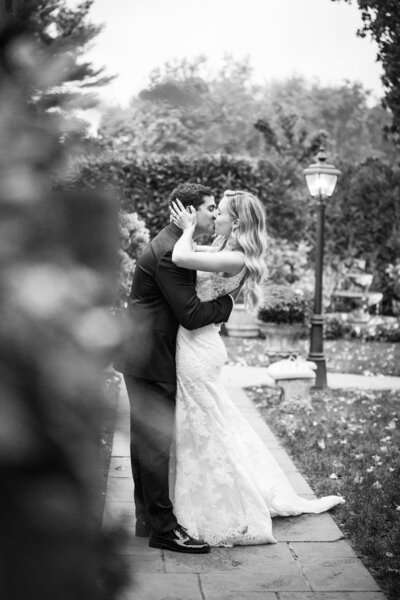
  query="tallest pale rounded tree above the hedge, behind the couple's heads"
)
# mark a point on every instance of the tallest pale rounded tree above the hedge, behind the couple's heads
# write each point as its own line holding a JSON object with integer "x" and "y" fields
{"x": 187, "y": 110}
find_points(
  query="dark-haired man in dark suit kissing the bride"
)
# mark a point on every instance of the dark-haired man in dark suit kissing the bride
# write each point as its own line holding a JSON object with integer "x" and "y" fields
{"x": 163, "y": 296}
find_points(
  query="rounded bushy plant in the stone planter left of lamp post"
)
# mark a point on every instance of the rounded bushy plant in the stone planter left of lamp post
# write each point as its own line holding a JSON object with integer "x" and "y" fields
{"x": 284, "y": 304}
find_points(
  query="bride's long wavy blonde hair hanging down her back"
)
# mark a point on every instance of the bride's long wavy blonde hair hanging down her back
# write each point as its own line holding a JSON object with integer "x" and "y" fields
{"x": 250, "y": 237}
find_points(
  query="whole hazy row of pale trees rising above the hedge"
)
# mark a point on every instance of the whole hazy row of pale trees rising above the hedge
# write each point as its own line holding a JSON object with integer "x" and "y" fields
{"x": 187, "y": 109}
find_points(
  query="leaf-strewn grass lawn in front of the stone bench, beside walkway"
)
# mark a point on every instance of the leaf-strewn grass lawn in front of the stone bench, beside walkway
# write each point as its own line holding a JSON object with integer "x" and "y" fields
{"x": 350, "y": 445}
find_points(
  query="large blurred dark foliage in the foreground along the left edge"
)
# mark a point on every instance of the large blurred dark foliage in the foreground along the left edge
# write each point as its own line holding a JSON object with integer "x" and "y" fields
{"x": 58, "y": 256}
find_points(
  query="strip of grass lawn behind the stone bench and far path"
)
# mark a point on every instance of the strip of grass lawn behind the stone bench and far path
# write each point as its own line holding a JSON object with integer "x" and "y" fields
{"x": 342, "y": 356}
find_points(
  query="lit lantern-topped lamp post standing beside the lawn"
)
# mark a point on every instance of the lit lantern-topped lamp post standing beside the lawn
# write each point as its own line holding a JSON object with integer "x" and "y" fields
{"x": 321, "y": 181}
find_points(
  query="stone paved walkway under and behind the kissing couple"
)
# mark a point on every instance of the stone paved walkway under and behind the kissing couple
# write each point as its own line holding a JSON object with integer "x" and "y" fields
{"x": 311, "y": 561}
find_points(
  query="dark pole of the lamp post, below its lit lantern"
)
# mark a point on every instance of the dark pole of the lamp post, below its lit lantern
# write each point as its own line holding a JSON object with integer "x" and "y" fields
{"x": 316, "y": 354}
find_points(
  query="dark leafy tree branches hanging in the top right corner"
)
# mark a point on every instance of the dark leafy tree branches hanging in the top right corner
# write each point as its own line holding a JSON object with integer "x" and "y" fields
{"x": 381, "y": 21}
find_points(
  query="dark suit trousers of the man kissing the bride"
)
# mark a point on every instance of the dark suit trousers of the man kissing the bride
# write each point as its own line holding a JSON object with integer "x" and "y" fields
{"x": 152, "y": 405}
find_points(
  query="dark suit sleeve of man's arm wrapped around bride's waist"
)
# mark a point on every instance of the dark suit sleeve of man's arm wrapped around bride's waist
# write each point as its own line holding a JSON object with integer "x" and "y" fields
{"x": 178, "y": 289}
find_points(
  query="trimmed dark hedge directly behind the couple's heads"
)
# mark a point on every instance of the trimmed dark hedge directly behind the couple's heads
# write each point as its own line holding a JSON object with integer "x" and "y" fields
{"x": 144, "y": 187}
